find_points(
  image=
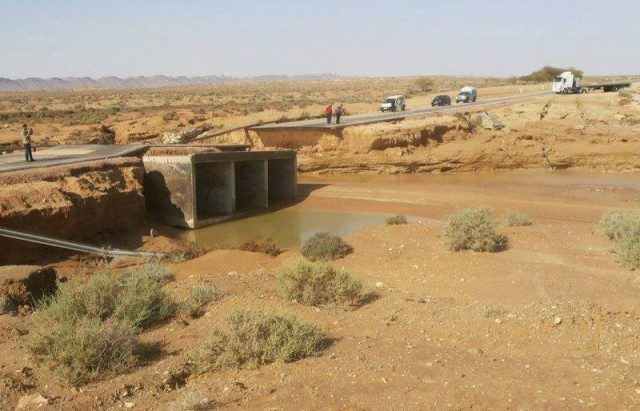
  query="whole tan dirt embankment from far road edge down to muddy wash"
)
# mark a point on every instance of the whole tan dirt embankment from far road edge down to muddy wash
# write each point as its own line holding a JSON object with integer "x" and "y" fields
{"x": 600, "y": 131}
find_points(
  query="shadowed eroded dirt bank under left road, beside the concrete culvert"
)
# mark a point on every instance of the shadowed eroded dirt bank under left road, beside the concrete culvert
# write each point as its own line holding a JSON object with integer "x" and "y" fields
{"x": 81, "y": 202}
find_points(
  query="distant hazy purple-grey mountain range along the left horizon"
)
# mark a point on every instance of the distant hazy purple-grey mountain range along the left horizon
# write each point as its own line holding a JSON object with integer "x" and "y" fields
{"x": 84, "y": 83}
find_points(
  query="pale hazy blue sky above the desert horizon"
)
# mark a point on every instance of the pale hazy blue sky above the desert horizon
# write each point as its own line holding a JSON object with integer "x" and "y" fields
{"x": 60, "y": 38}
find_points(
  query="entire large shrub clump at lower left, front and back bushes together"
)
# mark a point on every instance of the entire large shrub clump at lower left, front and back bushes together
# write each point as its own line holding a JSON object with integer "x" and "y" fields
{"x": 89, "y": 330}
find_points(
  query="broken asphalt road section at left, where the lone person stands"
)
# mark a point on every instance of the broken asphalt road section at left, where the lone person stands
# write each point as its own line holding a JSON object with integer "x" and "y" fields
{"x": 63, "y": 155}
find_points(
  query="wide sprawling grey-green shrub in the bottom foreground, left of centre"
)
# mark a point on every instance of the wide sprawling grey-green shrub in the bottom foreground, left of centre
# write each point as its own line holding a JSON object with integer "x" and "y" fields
{"x": 255, "y": 339}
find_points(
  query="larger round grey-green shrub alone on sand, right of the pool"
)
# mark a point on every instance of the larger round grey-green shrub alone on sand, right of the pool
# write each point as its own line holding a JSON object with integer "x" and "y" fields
{"x": 474, "y": 229}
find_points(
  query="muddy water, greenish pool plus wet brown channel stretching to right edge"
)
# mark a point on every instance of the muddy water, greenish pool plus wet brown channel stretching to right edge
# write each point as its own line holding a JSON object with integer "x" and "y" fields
{"x": 290, "y": 227}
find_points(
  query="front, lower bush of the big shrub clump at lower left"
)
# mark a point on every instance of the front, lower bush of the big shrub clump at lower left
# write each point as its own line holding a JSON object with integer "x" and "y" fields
{"x": 83, "y": 350}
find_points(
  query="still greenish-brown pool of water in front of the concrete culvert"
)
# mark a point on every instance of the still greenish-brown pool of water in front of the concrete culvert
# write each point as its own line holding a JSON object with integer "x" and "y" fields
{"x": 288, "y": 227}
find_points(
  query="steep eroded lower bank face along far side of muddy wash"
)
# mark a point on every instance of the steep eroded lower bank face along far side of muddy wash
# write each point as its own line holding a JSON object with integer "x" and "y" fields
{"x": 450, "y": 146}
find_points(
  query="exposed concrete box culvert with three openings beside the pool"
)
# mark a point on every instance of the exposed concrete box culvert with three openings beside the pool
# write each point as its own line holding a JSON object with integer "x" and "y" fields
{"x": 192, "y": 189}
